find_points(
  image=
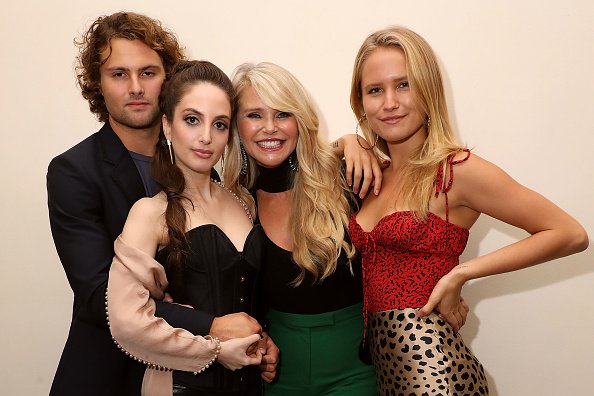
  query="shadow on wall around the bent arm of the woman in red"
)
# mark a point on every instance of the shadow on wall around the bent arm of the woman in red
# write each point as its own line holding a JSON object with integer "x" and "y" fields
{"x": 521, "y": 281}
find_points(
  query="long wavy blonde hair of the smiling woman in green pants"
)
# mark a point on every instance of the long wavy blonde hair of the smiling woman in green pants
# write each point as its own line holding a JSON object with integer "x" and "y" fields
{"x": 320, "y": 210}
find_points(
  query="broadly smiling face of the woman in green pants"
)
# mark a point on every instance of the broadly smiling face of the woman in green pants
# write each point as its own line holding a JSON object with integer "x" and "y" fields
{"x": 268, "y": 135}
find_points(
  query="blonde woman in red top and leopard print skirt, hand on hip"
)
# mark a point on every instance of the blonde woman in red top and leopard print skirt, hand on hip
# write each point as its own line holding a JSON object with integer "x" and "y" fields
{"x": 412, "y": 234}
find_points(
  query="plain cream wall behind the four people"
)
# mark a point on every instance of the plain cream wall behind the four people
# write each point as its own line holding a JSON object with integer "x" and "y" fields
{"x": 519, "y": 79}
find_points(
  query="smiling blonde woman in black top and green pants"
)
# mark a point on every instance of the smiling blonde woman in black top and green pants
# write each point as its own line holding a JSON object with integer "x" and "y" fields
{"x": 311, "y": 279}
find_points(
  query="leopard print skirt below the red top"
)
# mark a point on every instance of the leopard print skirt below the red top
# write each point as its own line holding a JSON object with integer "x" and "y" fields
{"x": 414, "y": 356}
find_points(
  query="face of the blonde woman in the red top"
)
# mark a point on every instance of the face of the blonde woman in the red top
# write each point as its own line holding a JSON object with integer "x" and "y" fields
{"x": 387, "y": 98}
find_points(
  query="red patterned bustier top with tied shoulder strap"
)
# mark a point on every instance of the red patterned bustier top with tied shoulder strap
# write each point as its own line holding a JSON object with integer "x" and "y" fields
{"x": 403, "y": 258}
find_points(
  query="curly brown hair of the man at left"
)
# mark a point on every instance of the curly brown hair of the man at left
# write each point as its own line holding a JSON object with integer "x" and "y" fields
{"x": 126, "y": 25}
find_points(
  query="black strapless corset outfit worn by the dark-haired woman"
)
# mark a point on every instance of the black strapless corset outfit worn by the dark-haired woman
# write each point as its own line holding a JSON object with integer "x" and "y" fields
{"x": 219, "y": 280}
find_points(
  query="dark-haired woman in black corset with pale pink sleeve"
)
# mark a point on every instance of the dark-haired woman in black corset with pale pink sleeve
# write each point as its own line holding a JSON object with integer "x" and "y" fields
{"x": 207, "y": 248}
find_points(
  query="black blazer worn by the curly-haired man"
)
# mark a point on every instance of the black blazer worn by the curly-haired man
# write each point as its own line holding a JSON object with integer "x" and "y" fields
{"x": 91, "y": 188}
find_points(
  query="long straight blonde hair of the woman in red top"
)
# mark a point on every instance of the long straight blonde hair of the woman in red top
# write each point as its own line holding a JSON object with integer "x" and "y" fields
{"x": 424, "y": 76}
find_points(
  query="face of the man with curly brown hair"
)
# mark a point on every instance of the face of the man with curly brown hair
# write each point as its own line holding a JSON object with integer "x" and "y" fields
{"x": 131, "y": 80}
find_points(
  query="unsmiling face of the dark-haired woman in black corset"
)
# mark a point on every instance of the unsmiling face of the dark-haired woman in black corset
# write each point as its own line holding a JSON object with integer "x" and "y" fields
{"x": 200, "y": 127}
